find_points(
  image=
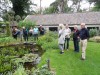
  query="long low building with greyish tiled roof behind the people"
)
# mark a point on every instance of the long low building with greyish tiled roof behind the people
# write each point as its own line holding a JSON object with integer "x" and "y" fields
{"x": 92, "y": 19}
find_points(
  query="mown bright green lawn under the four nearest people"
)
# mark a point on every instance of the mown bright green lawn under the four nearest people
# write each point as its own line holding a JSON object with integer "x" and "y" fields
{"x": 69, "y": 63}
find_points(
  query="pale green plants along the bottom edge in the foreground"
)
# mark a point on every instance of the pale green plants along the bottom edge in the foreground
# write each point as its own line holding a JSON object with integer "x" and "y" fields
{"x": 41, "y": 71}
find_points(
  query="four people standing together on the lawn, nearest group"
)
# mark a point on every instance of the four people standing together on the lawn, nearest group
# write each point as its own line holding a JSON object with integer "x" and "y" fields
{"x": 81, "y": 36}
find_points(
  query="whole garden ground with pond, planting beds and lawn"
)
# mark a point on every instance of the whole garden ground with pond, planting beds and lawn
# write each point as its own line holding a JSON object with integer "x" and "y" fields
{"x": 43, "y": 58}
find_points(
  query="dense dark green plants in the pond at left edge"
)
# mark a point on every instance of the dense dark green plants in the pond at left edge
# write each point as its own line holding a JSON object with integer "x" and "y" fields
{"x": 6, "y": 56}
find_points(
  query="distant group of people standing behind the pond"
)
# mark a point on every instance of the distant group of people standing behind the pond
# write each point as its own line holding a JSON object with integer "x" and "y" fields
{"x": 24, "y": 32}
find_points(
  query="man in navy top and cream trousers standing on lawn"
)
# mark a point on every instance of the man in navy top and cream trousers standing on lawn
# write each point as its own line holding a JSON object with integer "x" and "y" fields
{"x": 84, "y": 35}
